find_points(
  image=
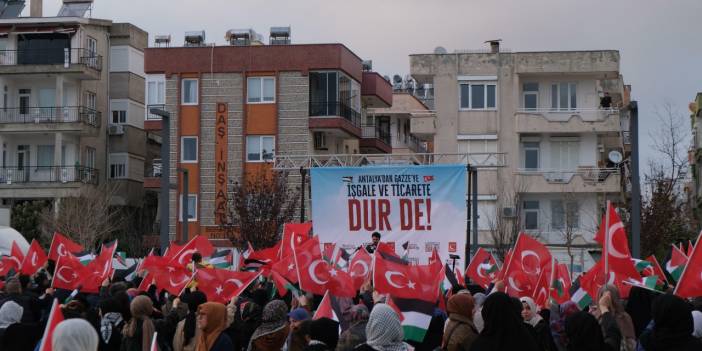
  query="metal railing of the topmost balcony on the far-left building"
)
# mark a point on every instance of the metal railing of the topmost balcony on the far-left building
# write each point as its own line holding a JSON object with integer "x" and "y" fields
{"x": 64, "y": 57}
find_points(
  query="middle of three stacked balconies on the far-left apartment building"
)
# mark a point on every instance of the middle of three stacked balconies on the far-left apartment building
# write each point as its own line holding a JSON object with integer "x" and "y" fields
{"x": 50, "y": 119}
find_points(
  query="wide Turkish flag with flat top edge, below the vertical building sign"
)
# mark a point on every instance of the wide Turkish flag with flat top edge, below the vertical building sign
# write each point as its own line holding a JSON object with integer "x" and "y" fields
{"x": 221, "y": 285}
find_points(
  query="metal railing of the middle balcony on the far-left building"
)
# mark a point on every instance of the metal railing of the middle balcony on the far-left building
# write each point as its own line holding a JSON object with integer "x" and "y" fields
{"x": 36, "y": 115}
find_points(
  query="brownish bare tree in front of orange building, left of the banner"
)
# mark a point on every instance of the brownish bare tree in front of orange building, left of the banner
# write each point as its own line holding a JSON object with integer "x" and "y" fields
{"x": 259, "y": 207}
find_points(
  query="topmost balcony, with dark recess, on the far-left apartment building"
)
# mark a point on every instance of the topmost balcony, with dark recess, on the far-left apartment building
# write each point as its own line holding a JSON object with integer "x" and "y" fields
{"x": 80, "y": 63}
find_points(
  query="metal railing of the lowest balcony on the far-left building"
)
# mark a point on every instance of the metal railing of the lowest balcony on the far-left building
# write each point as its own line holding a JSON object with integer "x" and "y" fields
{"x": 48, "y": 174}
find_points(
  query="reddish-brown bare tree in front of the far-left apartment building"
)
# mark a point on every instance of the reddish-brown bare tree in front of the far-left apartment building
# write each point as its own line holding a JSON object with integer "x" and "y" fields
{"x": 88, "y": 219}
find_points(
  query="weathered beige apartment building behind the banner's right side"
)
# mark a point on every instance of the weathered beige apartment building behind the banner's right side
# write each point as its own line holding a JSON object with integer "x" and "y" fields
{"x": 554, "y": 120}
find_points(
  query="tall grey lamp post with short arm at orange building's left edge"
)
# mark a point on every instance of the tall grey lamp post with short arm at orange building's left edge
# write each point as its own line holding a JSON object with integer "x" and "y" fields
{"x": 165, "y": 174}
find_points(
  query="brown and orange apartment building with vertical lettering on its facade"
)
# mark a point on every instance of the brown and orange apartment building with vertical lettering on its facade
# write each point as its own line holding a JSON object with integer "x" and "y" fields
{"x": 234, "y": 108}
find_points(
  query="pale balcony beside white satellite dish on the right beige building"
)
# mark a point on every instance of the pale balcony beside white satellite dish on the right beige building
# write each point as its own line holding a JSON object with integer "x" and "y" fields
{"x": 581, "y": 180}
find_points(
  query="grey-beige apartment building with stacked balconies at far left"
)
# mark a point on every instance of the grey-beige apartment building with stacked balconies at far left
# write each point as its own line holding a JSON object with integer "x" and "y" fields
{"x": 72, "y": 104}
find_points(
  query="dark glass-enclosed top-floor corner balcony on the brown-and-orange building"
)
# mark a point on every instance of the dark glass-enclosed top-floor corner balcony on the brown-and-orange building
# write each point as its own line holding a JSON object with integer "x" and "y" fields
{"x": 332, "y": 116}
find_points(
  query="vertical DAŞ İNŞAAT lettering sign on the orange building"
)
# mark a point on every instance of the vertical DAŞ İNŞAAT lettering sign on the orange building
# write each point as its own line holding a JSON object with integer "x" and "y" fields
{"x": 221, "y": 164}
